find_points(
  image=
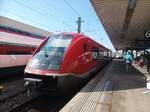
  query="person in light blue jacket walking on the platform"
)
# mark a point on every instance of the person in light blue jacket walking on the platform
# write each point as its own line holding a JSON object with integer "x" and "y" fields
{"x": 128, "y": 59}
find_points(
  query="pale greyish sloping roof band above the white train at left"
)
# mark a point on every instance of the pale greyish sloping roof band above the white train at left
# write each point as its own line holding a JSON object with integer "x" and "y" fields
{"x": 18, "y": 25}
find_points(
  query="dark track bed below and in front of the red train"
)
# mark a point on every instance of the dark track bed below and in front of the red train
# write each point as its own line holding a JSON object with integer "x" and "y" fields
{"x": 19, "y": 99}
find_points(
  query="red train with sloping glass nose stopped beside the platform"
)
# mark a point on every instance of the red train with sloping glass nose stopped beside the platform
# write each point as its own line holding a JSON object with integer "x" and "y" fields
{"x": 64, "y": 58}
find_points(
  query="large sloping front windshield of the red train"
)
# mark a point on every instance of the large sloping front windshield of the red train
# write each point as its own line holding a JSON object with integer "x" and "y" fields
{"x": 51, "y": 54}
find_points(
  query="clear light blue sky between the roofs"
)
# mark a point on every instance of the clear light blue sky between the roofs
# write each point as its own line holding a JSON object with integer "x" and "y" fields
{"x": 57, "y": 16}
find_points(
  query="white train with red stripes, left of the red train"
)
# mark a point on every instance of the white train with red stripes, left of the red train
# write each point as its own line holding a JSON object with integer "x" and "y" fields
{"x": 16, "y": 47}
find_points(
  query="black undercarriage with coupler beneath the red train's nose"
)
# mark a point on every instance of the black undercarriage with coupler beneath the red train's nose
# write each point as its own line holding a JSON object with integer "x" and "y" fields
{"x": 52, "y": 84}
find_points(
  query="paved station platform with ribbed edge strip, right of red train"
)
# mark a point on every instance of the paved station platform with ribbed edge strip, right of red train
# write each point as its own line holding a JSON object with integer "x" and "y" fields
{"x": 113, "y": 90}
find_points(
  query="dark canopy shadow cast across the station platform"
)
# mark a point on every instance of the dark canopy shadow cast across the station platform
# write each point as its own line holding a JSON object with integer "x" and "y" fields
{"x": 119, "y": 77}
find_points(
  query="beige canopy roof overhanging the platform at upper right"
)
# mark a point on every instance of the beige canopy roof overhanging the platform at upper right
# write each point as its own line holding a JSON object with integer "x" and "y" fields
{"x": 124, "y": 20}
